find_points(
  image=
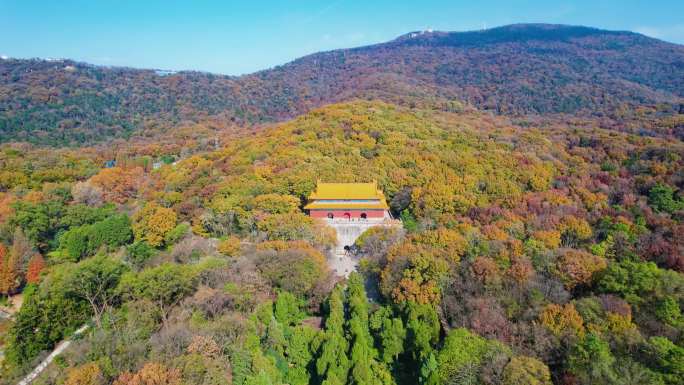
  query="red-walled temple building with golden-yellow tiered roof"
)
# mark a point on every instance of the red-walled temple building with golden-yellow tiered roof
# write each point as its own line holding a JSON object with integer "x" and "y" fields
{"x": 350, "y": 201}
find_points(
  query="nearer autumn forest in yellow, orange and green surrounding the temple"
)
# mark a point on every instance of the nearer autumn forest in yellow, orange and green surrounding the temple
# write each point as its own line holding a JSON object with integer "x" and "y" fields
{"x": 528, "y": 255}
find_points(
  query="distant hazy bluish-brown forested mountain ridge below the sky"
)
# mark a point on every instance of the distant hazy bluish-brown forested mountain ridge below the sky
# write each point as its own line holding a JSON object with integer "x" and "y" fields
{"x": 515, "y": 70}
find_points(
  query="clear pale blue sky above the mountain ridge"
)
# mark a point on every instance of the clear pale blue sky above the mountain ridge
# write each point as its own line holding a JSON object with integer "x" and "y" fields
{"x": 236, "y": 37}
